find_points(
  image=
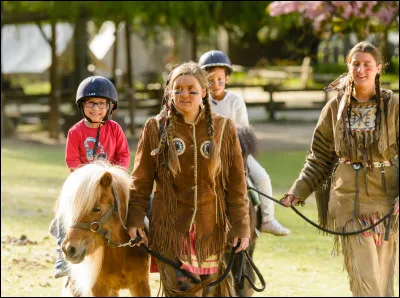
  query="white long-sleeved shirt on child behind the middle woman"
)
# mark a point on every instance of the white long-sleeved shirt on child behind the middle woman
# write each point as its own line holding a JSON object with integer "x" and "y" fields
{"x": 231, "y": 106}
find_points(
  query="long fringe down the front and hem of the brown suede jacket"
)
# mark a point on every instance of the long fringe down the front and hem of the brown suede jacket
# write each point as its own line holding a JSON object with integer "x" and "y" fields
{"x": 169, "y": 239}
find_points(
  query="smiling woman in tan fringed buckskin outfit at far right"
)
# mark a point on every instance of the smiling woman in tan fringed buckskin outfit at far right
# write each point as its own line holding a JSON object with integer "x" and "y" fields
{"x": 353, "y": 167}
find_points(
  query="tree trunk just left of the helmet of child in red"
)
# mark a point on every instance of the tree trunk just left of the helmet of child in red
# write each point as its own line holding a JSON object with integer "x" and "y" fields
{"x": 54, "y": 114}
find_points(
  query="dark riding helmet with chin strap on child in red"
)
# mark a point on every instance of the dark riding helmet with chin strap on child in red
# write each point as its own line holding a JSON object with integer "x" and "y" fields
{"x": 96, "y": 86}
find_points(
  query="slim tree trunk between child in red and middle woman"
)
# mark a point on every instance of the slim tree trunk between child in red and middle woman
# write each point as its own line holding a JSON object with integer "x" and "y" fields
{"x": 131, "y": 88}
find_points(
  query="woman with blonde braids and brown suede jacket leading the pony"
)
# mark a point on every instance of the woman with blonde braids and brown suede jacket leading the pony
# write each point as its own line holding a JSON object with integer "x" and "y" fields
{"x": 200, "y": 199}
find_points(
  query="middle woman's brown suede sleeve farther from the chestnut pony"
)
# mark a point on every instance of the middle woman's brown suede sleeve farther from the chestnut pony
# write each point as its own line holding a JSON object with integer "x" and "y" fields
{"x": 236, "y": 191}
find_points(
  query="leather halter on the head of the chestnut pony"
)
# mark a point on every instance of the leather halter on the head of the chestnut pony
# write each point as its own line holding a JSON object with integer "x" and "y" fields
{"x": 96, "y": 226}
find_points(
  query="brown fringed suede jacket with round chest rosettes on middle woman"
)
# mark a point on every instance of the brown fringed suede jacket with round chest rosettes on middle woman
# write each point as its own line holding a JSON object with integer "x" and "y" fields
{"x": 215, "y": 206}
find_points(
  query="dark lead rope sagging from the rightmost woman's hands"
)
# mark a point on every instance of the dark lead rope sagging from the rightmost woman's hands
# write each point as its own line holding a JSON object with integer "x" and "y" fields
{"x": 387, "y": 216}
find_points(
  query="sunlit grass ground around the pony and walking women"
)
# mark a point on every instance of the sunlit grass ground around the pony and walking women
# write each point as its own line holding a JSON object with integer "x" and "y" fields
{"x": 32, "y": 175}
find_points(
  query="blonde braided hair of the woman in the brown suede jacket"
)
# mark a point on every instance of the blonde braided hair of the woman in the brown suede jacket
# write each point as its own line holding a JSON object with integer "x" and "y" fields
{"x": 169, "y": 116}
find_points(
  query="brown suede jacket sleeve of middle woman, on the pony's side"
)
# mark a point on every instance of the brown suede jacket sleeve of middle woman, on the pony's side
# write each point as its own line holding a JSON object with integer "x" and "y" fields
{"x": 143, "y": 175}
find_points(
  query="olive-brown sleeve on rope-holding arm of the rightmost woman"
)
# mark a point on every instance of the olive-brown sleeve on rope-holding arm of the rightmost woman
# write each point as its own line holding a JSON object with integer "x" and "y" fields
{"x": 321, "y": 157}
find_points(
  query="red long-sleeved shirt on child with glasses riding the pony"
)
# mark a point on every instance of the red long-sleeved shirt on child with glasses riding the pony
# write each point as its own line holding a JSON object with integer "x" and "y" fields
{"x": 113, "y": 145}
